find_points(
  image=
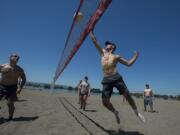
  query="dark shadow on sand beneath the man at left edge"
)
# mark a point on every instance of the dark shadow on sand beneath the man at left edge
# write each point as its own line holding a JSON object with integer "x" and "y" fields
{"x": 3, "y": 120}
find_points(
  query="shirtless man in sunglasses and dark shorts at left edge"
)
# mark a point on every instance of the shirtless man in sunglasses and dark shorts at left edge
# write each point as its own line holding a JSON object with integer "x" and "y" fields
{"x": 10, "y": 84}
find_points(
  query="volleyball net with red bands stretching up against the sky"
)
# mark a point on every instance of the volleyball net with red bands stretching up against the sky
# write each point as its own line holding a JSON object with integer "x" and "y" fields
{"x": 92, "y": 11}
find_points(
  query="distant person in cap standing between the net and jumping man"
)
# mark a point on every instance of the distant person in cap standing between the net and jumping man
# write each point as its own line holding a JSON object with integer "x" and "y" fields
{"x": 84, "y": 89}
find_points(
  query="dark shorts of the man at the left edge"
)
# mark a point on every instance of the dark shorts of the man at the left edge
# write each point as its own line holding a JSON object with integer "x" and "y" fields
{"x": 8, "y": 92}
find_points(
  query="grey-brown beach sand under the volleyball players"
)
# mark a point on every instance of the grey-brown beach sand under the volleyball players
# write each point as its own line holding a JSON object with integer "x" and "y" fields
{"x": 45, "y": 113}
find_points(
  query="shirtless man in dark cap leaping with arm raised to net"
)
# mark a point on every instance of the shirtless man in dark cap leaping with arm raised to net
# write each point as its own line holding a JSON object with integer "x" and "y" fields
{"x": 112, "y": 78}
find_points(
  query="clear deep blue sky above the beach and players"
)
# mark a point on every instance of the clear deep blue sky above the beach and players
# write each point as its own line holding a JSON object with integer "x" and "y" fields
{"x": 37, "y": 30}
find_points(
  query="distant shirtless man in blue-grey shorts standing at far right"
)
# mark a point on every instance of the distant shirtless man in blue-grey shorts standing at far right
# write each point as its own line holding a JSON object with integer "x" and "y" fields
{"x": 148, "y": 95}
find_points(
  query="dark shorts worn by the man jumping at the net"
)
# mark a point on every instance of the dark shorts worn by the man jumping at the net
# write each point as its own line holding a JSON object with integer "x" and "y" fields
{"x": 110, "y": 82}
